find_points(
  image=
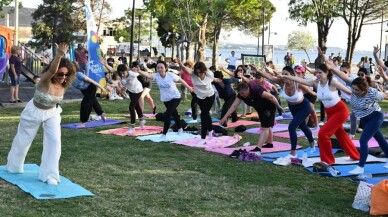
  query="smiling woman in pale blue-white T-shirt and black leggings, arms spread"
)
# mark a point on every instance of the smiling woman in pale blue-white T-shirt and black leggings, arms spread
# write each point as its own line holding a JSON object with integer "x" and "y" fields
{"x": 169, "y": 94}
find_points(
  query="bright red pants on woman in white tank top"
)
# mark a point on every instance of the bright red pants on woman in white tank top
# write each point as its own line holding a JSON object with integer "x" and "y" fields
{"x": 336, "y": 116}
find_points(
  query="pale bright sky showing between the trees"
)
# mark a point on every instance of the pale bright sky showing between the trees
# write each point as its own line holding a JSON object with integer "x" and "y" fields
{"x": 280, "y": 24}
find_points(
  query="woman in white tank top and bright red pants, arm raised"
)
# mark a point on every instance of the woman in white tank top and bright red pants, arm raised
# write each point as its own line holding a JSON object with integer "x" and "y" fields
{"x": 337, "y": 114}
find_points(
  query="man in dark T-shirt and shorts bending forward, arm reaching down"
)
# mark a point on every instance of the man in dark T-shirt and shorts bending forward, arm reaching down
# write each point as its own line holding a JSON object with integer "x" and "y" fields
{"x": 264, "y": 103}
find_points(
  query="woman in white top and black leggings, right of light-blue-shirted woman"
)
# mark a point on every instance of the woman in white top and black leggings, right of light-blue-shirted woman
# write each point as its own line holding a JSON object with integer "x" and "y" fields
{"x": 202, "y": 81}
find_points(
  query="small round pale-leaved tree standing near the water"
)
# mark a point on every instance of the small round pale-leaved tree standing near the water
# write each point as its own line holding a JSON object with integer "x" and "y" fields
{"x": 298, "y": 40}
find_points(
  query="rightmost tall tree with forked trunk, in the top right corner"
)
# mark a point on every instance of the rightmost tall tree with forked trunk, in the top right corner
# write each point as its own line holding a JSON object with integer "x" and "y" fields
{"x": 356, "y": 14}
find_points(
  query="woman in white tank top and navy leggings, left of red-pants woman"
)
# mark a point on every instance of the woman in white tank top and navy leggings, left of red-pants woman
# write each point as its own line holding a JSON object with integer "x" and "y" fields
{"x": 299, "y": 106}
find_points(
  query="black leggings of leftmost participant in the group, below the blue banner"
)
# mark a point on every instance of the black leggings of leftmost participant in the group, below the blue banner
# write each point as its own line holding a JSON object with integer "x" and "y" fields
{"x": 89, "y": 102}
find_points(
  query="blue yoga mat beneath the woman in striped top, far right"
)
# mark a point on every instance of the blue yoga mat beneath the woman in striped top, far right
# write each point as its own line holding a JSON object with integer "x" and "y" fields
{"x": 344, "y": 169}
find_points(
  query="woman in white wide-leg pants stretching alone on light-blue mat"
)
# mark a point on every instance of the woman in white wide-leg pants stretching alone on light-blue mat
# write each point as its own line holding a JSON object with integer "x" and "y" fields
{"x": 44, "y": 109}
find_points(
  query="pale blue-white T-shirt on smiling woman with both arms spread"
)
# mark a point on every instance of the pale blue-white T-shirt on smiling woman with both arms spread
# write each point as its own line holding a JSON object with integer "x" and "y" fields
{"x": 167, "y": 86}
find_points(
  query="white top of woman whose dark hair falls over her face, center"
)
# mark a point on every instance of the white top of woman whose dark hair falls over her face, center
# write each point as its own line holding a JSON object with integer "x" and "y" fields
{"x": 203, "y": 88}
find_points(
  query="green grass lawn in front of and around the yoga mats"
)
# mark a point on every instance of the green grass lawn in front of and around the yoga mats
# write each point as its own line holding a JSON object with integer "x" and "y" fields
{"x": 134, "y": 178}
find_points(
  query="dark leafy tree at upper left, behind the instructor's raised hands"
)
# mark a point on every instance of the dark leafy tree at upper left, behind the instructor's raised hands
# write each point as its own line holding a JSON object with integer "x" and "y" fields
{"x": 53, "y": 22}
